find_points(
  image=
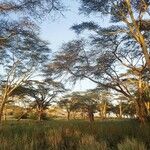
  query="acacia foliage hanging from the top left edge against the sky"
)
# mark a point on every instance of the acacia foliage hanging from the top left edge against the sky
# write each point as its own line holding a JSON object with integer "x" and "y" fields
{"x": 30, "y": 8}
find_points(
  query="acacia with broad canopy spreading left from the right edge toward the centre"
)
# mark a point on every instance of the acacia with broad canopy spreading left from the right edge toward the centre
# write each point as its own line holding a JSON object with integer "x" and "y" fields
{"x": 102, "y": 67}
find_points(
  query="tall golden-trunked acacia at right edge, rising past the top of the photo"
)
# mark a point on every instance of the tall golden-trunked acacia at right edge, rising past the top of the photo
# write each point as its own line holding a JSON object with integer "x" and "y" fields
{"x": 129, "y": 33}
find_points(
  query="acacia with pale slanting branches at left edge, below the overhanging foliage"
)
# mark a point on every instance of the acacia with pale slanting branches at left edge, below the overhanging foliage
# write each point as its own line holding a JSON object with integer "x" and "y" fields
{"x": 22, "y": 58}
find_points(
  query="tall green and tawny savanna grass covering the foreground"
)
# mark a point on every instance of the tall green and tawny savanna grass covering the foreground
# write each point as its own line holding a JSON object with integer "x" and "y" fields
{"x": 74, "y": 135}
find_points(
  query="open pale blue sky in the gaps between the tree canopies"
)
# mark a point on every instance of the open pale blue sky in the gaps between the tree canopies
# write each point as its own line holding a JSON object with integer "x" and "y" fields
{"x": 57, "y": 31}
